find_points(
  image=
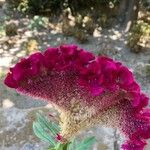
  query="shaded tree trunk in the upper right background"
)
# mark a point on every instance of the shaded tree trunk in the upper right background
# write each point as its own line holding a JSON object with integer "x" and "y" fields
{"x": 128, "y": 13}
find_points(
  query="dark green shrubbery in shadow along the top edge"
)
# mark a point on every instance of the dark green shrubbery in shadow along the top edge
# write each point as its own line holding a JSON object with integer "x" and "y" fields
{"x": 56, "y": 7}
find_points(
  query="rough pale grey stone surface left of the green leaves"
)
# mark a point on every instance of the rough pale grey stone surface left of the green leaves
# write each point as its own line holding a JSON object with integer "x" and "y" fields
{"x": 16, "y": 129}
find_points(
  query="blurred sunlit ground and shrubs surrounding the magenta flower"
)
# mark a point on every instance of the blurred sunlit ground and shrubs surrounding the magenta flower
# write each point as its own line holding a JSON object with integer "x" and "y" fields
{"x": 116, "y": 28}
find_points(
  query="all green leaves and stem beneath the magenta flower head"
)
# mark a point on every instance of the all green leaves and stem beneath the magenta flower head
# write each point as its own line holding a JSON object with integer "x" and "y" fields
{"x": 47, "y": 131}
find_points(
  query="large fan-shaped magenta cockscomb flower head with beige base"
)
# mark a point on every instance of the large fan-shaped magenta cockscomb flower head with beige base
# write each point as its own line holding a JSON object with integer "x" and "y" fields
{"x": 86, "y": 89}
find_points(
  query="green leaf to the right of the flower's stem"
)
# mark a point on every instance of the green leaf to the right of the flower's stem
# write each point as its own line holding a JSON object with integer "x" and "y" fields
{"x": 85, "y": 144}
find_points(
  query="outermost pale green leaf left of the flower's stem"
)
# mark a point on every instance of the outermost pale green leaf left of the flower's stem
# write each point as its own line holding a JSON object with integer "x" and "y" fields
{"x": 40, "y": 133}
